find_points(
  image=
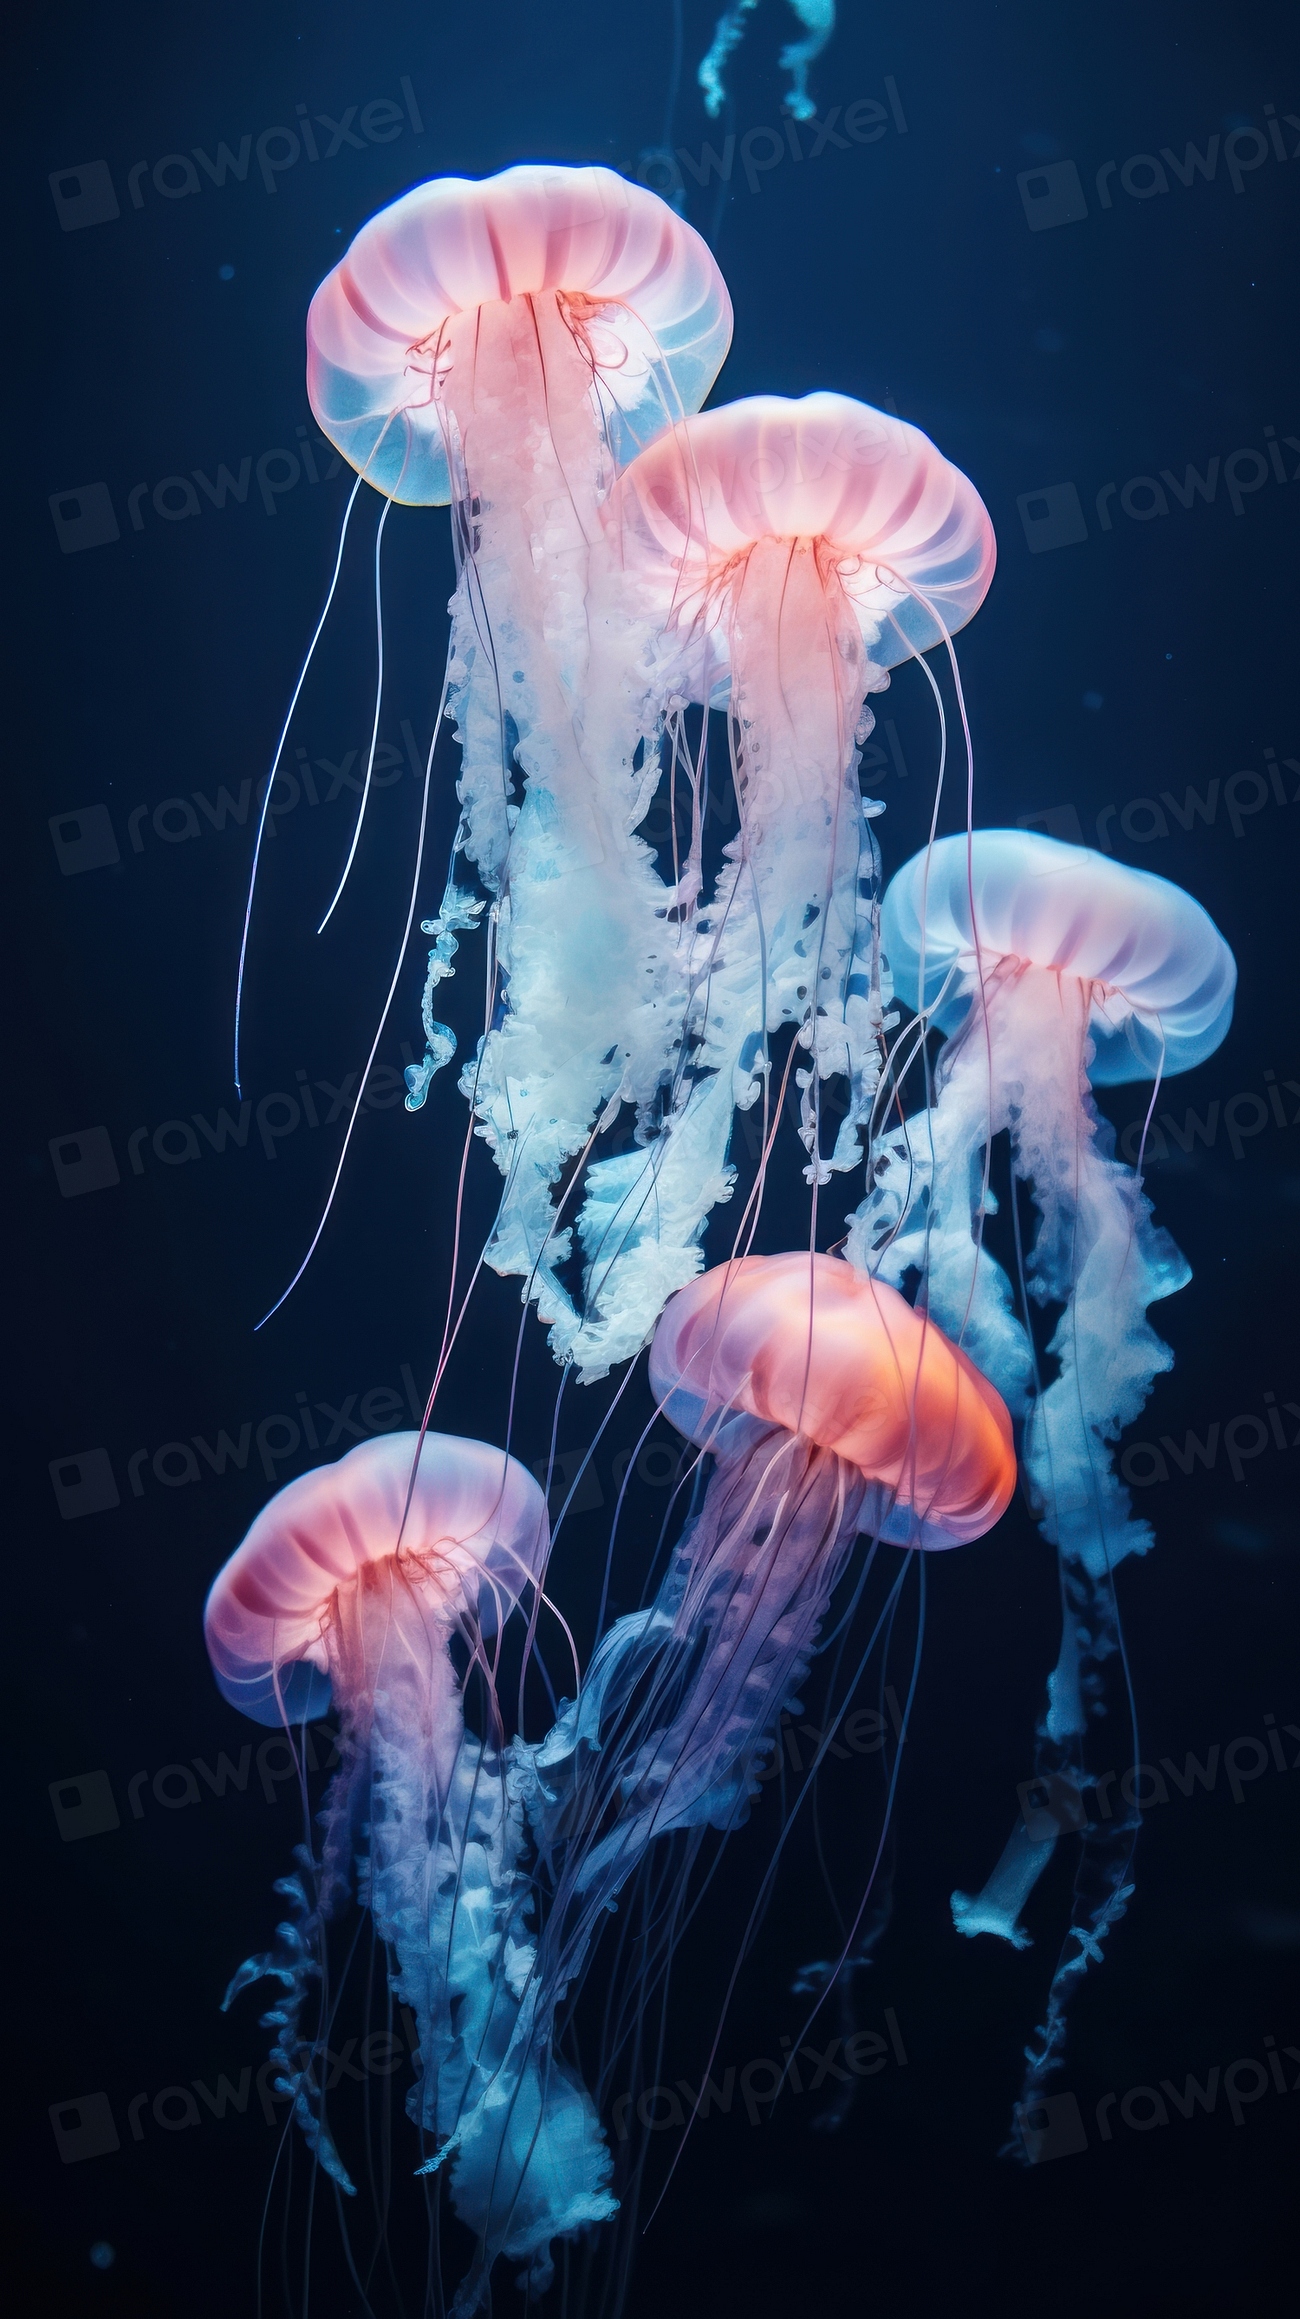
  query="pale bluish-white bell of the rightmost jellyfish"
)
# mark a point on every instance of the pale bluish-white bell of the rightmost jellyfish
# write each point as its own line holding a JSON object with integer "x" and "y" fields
{"x": 1162, "y": 975}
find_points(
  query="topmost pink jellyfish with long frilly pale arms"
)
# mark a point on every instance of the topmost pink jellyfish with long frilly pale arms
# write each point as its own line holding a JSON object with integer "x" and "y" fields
{"x": 506, "y": 347}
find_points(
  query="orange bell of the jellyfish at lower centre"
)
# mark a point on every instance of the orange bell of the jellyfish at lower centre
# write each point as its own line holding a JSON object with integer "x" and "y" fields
{"x": 845, "y": 1362}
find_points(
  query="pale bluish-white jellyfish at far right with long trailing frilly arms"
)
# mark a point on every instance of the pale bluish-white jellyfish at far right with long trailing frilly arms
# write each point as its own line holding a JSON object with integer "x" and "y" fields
{"x": 1051, "y": 971}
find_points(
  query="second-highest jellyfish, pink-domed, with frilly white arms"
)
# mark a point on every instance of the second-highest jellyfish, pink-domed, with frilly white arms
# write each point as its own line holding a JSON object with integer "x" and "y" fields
{"x": 796, "y": 553}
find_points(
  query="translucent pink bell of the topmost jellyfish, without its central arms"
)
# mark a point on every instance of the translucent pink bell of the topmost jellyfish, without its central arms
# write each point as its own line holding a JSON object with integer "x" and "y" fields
{"x": 634, "y": 277}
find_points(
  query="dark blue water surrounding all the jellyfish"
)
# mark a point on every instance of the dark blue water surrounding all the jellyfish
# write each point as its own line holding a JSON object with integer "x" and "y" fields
{"x": 998, "y": 228}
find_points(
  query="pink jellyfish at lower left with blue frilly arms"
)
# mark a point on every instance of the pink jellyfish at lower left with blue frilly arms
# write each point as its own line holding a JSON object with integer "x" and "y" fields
{"x": 353, "y": 1585}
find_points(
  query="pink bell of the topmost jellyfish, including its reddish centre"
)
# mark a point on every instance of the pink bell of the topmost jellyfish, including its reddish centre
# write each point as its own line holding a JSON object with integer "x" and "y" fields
{"x": 534, "y": 296}
